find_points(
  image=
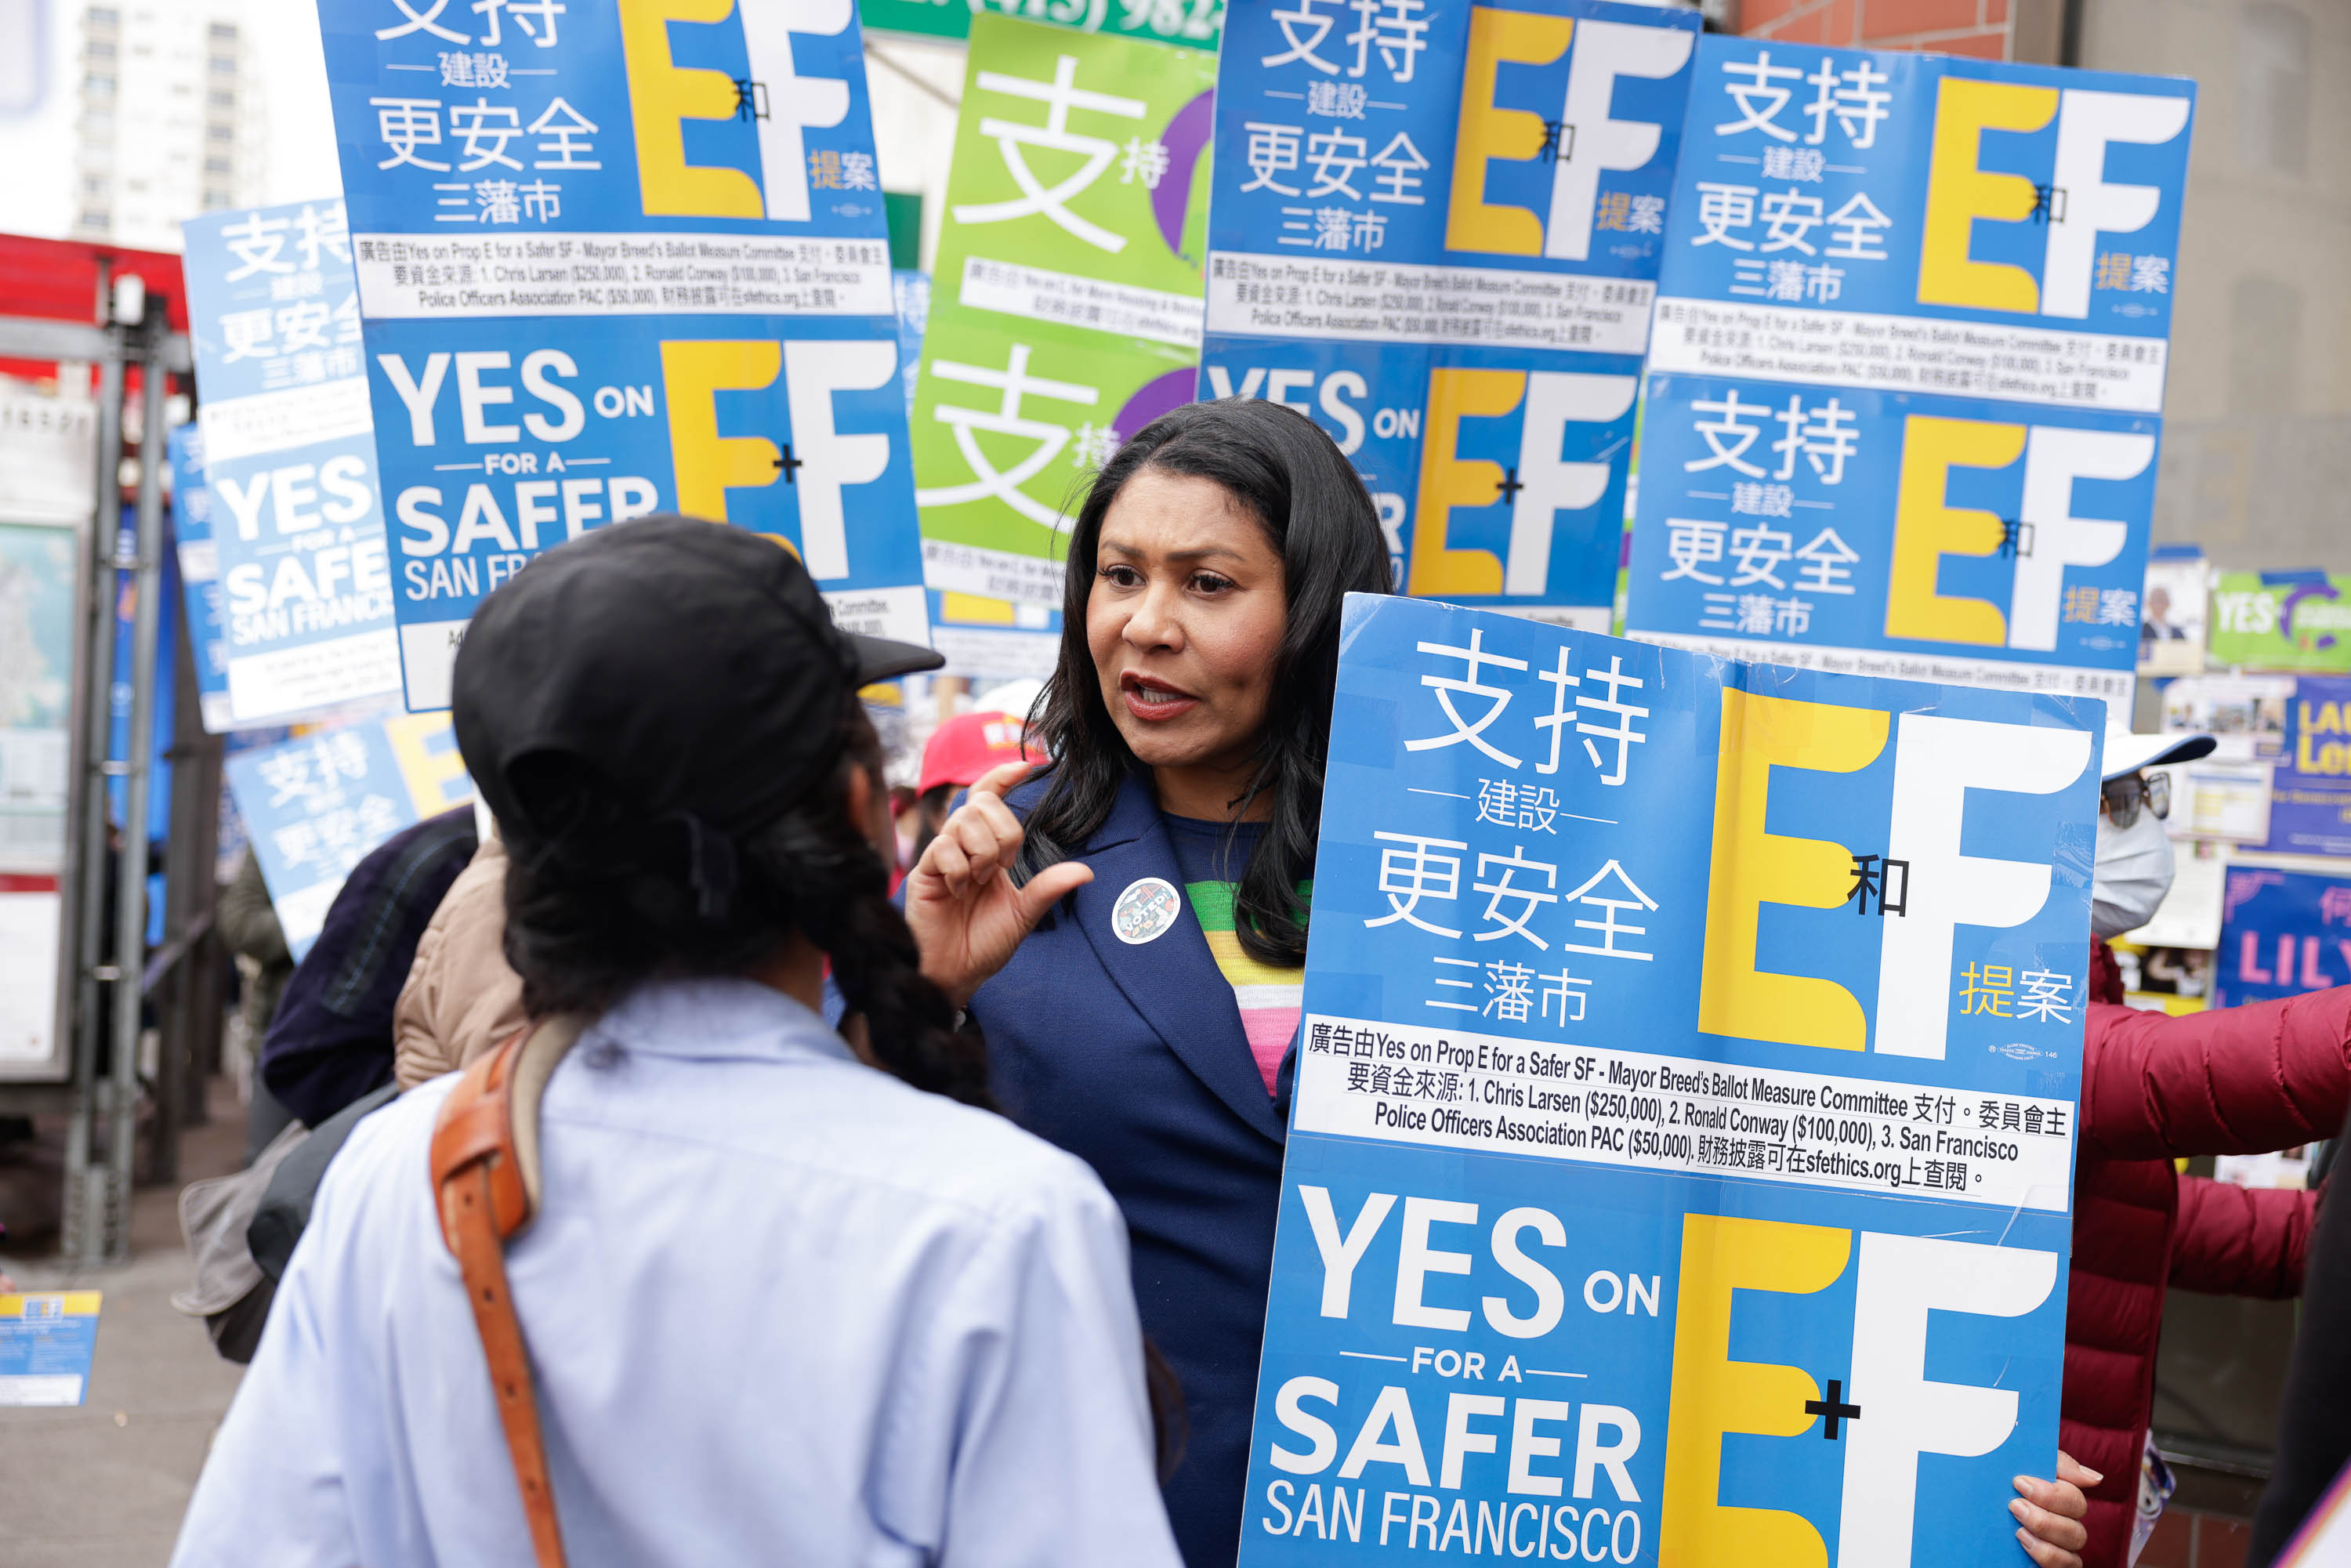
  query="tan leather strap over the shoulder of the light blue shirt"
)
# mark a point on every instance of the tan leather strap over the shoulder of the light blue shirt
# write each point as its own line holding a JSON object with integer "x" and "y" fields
{"x": 485, "y": 1186}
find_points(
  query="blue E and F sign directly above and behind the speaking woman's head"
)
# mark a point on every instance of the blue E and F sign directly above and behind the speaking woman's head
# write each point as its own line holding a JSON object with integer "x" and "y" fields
{"x": 1480, "y": 356}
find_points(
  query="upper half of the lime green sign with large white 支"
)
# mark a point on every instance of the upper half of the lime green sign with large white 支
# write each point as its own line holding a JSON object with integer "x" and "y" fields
{"x": 1080, "y": 182}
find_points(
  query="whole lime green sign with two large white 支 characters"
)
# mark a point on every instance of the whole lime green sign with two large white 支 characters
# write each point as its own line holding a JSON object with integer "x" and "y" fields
{"x": 1069, "y": 311}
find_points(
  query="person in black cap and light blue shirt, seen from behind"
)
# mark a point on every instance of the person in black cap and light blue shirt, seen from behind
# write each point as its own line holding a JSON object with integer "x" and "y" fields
{"x": 784, "y": 1299}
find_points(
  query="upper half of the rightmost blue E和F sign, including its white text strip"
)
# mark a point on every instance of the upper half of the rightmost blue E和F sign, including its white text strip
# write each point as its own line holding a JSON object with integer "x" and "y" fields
{"x": 1840, "y": 215}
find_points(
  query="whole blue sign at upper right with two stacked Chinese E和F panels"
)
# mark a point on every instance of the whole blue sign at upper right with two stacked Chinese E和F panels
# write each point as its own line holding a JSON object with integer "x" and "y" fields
{"x": 1913, "y": 363}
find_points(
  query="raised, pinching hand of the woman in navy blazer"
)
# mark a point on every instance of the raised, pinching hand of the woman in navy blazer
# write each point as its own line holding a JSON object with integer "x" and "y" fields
{"x": 960, "y": 899}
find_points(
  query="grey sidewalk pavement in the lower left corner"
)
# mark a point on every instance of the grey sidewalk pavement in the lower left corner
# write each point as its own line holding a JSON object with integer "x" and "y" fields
{"x": 105, "y": 1485}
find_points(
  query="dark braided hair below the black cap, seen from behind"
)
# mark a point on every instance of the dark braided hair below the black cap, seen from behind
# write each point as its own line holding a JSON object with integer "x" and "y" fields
{"x": 601, "y": 897}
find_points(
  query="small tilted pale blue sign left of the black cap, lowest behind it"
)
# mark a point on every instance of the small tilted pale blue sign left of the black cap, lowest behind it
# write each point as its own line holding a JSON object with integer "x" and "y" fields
{"x": 316, "y": 805}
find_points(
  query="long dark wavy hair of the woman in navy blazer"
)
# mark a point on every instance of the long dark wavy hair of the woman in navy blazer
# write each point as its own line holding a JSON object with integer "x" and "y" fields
{"x": 1290, "y": 476}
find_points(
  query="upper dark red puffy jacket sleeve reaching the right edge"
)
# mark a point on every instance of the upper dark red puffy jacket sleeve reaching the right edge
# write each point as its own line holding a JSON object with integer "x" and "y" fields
{"x": 2242, "y": 1080}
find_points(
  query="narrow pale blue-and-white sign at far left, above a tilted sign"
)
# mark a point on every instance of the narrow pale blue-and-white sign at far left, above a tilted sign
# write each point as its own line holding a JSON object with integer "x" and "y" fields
{"x": 290, "y": 462}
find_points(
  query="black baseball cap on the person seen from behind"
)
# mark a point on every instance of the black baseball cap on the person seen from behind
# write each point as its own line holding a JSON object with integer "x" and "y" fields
{"x": 683, "y": 666}
